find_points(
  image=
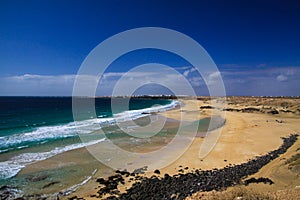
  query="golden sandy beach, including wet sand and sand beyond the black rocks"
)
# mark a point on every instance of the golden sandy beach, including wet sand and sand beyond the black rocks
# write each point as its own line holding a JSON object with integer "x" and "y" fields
{"x": 250, "y": 130}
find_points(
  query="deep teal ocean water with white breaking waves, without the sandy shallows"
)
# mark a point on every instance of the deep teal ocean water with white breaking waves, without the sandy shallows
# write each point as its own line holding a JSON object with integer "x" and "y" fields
{"x": 37, "y": 128}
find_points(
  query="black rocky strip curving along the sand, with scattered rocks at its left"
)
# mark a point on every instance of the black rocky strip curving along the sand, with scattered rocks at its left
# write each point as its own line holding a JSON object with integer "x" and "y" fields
{"x": 182, "y": 185}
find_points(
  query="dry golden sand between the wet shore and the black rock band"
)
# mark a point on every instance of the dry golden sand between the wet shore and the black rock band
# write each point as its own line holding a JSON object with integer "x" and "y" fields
{"x": 245, "y": 135}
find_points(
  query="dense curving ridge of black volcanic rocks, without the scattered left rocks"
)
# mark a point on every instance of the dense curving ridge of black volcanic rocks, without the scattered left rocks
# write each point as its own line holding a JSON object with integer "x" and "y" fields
{"x": 181, "y": 185}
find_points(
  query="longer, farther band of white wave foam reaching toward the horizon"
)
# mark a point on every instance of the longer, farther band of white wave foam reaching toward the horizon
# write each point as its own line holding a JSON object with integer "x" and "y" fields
{"x": 71, "y": 129}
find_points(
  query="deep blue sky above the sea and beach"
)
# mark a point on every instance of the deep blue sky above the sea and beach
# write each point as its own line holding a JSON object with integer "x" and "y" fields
{"x": 248, "y": 40}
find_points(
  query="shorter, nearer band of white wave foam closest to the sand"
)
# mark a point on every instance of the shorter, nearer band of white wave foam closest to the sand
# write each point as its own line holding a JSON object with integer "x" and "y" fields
{"x": 11, "y": 167}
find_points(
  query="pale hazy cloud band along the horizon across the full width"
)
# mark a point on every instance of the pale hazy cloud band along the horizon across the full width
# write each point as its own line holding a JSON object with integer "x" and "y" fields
{"x": 274, "y": 81}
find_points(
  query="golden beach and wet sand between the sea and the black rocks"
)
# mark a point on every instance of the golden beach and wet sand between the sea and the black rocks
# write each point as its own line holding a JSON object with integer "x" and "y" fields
{"x": 247, "y": 133}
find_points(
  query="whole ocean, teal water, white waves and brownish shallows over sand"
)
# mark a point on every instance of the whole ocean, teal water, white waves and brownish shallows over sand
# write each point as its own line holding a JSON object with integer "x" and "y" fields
{"x": 34, "y": 129}
